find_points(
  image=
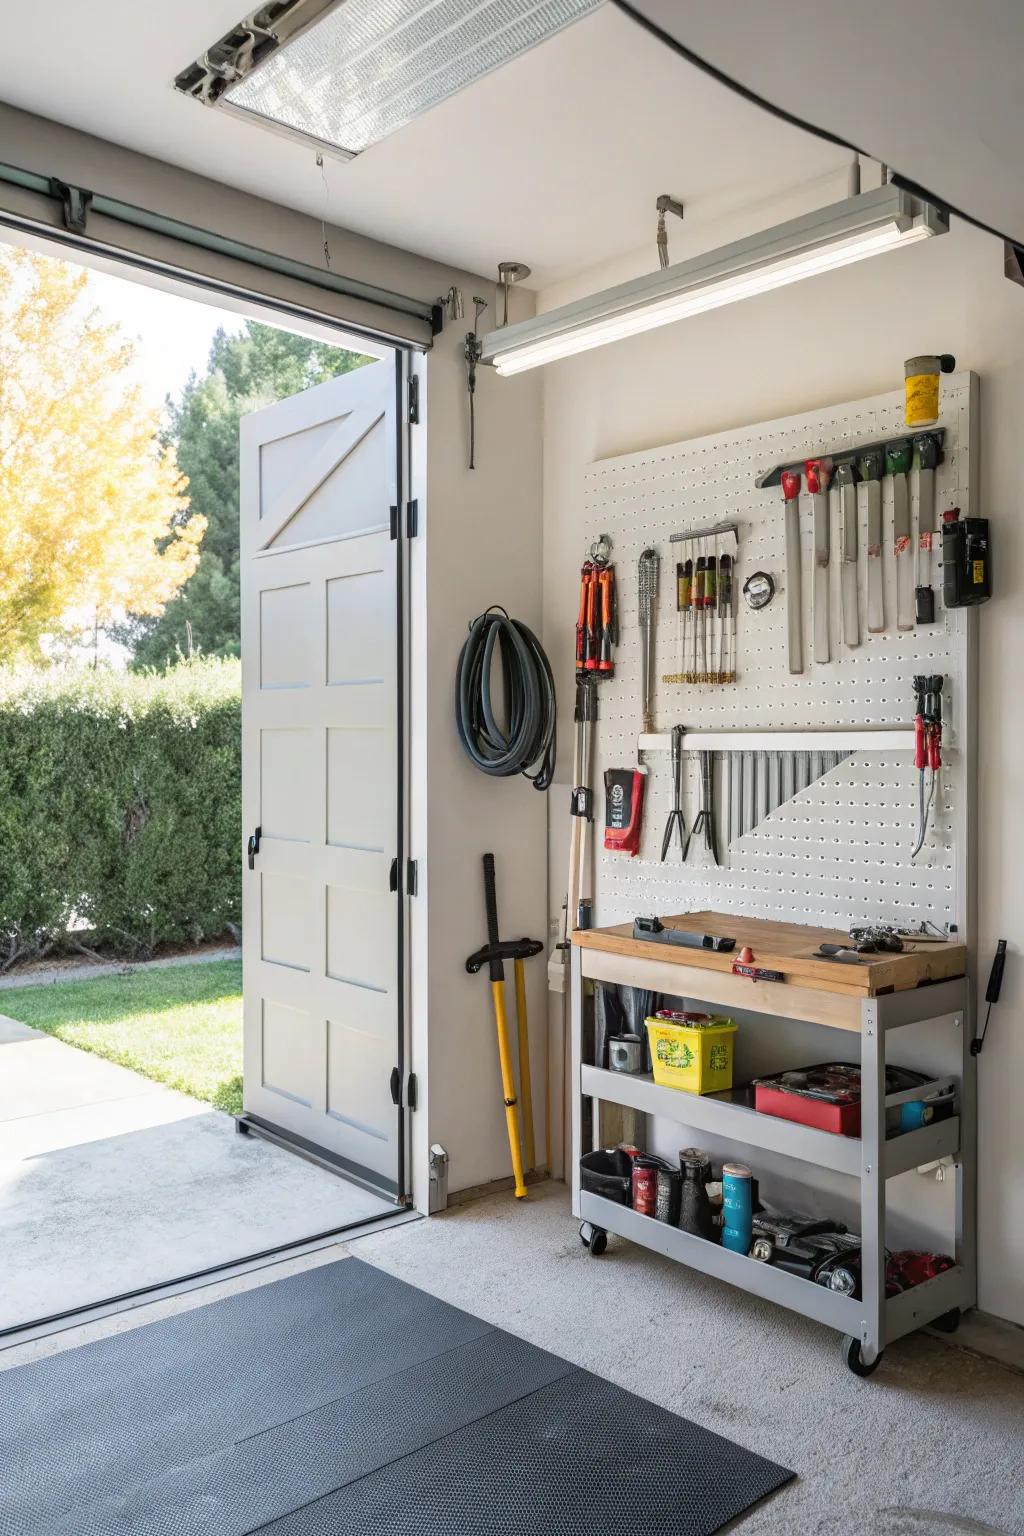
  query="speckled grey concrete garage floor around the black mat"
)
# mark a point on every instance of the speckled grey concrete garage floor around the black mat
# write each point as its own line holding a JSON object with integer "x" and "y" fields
{"x": 931, "y": 1446}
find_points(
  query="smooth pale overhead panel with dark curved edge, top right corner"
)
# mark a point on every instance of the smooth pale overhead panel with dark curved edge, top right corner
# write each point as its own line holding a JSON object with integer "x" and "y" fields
{"x": 933, "y": 87}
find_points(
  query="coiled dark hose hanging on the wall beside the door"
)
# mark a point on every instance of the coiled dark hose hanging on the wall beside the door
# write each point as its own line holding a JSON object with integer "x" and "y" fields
{"x": 524, "y": 744}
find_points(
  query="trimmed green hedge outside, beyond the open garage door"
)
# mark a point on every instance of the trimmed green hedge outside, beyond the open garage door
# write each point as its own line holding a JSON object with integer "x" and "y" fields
{"x": 121, "y": 809}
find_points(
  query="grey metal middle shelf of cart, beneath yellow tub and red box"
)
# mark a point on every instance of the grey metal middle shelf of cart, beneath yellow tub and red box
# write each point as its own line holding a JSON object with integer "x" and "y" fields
{"x": 768, "y": 1133}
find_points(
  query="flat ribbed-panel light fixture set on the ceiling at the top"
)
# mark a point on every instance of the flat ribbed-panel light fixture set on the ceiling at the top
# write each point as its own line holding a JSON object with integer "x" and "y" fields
{"x": 348, "y": 73}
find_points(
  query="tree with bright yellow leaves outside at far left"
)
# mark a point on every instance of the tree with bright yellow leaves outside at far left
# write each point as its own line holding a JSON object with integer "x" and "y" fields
{"x": 94, "y": 517}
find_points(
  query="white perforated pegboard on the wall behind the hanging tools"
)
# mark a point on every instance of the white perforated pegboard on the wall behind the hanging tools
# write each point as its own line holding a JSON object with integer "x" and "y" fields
{"x": 841, "y": 850}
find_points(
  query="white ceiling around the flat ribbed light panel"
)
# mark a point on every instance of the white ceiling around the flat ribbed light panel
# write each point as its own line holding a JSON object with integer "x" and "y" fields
{"x": 555, "y": 161}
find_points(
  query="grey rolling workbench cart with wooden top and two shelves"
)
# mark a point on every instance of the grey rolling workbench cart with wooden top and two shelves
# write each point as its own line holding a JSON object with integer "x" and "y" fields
{"x": 870, "y": 999}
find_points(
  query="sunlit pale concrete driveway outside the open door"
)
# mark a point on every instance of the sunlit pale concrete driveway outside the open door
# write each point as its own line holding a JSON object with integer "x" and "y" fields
{"x": 110, "y": 1182}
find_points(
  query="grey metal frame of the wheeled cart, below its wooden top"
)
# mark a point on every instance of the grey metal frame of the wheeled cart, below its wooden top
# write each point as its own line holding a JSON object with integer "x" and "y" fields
{"x": 874, "y": 1322}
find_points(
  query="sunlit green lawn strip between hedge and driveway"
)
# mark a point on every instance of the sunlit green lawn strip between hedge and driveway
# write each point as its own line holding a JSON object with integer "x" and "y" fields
{"x": 179, "y": 1025}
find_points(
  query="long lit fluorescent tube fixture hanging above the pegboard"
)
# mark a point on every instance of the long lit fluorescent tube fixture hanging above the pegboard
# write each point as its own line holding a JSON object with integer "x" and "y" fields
{"x": 831, "y": 237}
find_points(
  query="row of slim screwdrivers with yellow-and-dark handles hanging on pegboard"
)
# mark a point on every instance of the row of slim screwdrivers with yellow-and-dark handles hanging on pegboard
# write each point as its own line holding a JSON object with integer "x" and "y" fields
{"x": 705, "y": 606}
